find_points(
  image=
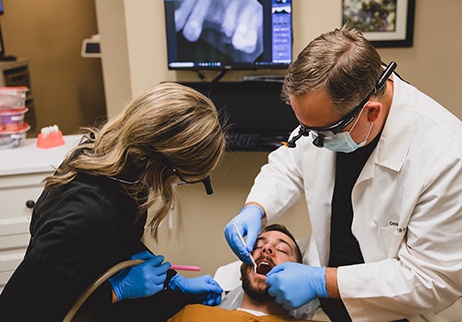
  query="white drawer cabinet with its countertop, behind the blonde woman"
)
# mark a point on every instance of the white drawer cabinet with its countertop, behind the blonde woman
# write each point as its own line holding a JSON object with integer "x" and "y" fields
{"x": 21, "y": 173}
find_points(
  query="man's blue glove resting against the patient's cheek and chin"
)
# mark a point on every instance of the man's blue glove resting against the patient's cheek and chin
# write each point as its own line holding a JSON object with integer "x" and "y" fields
{"x": 295, "y": 284}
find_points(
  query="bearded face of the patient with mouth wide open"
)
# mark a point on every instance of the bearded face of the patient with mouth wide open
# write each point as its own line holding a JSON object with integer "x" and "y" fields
{"x": 271, "y": 248}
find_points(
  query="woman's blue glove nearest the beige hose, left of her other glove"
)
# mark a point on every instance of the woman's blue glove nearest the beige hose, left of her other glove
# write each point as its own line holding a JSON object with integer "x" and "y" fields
{"x": 141, "y": 280}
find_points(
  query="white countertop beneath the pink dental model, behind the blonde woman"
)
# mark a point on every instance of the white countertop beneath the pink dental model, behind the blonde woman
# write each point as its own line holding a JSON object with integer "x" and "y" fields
{"x": 28, "y": 158}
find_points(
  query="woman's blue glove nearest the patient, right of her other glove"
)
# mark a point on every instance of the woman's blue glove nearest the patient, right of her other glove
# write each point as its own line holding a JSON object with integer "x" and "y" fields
{"x": 205, "y": 286}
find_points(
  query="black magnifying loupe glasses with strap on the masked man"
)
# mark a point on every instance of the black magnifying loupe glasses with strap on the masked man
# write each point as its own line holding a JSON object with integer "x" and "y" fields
{"x": 331, "y": 130}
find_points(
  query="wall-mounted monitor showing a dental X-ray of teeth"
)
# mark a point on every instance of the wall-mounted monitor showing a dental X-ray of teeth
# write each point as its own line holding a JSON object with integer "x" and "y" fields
{"x": 228, "y": 34}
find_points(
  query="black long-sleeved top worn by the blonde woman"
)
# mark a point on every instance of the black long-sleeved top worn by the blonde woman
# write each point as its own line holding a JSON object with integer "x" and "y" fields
{"x": 78, "y": 231}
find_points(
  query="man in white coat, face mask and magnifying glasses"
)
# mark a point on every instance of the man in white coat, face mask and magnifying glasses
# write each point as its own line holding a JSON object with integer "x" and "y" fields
{"x": 380, "y": 166}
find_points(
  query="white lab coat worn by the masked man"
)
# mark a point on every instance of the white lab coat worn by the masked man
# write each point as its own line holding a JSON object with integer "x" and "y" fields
{"x": 407, "y": 205}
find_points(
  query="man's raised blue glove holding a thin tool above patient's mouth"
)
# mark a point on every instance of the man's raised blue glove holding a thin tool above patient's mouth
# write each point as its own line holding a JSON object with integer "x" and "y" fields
{"x": 248, "y": 223}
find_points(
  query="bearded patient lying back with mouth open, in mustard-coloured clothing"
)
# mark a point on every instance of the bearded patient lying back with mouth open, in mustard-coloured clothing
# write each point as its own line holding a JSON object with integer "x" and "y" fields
{"x": 274, "y": 245}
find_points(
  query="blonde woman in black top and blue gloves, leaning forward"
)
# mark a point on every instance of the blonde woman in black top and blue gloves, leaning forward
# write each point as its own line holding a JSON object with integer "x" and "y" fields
{"x": 93, "y": 212}
